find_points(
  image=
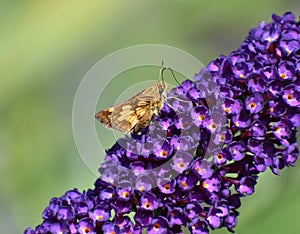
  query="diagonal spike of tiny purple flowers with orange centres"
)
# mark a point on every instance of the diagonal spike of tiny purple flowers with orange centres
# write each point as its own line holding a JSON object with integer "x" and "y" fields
{"x": 194, "y": 174}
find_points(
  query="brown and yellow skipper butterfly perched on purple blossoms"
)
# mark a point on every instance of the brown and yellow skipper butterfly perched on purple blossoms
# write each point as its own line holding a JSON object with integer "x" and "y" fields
{"x": 136, "y": 113}
